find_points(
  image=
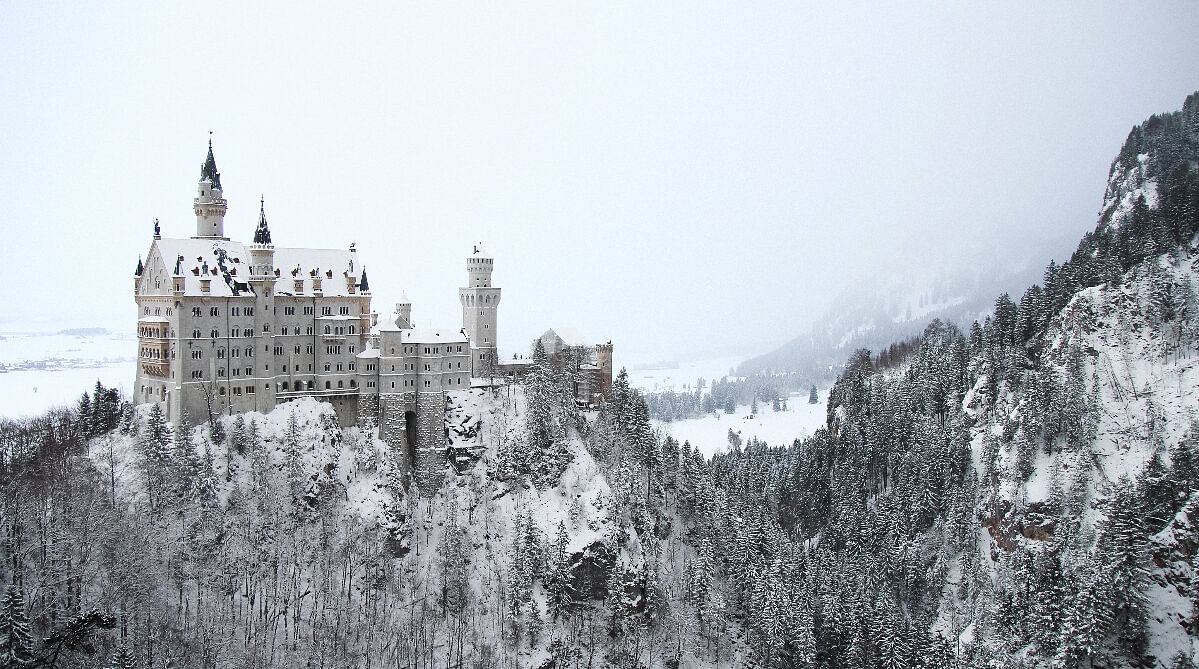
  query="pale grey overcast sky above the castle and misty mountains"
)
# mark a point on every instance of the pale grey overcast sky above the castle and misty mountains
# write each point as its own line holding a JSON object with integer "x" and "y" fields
{"x": 674, "y": 178}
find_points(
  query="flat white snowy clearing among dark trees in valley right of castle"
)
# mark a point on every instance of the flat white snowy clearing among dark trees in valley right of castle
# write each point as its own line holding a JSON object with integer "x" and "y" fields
{"x": 710, "y": 435}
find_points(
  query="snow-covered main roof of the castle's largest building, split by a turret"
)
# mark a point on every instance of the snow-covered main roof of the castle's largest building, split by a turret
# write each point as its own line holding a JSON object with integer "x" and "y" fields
{"x": 227, "y": 264}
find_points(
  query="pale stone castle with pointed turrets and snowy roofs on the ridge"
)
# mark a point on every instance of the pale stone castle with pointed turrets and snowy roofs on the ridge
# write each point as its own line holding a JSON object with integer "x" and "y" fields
{"x": 227, "y": 328}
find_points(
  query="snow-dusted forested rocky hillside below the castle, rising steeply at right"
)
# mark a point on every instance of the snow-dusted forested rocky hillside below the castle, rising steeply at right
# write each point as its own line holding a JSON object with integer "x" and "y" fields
{"x": 1020, "y": 495}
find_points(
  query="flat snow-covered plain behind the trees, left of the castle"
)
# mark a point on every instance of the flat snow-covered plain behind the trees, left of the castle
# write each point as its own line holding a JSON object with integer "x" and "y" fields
{"x": 45, "y": 370}
